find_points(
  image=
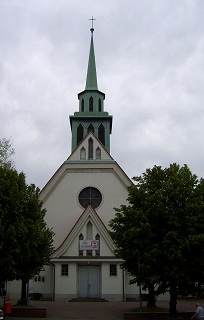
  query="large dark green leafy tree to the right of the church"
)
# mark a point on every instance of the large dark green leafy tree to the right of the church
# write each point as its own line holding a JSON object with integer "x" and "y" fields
{"x": 160, "y": 234}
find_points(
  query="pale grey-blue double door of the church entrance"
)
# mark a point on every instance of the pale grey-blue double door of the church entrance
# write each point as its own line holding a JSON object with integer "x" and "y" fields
{"x": 89, "y": 282}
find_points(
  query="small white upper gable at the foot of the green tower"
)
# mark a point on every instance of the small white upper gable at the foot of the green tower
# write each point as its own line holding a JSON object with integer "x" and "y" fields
{"x": 76, "y": 154}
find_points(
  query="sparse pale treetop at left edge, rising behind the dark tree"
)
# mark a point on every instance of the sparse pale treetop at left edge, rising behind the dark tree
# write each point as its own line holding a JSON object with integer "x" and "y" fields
{"x": 6, "y": 151}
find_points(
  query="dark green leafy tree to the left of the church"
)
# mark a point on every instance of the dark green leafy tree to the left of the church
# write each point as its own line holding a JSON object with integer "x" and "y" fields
{"x": 25, "y": 240}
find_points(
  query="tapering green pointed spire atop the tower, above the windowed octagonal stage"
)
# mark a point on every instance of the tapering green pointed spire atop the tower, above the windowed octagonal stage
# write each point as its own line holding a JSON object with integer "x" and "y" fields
{"x": 91, "y": 78}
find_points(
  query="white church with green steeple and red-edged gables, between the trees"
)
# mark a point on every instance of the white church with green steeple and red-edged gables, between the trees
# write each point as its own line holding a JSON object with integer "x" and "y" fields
{"x": 80, "y": 199}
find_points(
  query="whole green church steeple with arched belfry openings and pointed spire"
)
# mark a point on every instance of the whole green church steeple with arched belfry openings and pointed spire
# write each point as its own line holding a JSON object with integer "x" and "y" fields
{"x": 91, "y": 115}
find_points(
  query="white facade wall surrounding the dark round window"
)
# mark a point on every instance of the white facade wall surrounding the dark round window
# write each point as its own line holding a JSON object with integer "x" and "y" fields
{"x": 63, "y": 208}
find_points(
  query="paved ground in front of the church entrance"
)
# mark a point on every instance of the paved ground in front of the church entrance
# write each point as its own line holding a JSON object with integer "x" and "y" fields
{"x": 99, "y": 310}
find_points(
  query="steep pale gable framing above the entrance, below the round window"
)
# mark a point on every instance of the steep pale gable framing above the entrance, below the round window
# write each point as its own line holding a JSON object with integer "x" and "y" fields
{"x": 89, "y": 214}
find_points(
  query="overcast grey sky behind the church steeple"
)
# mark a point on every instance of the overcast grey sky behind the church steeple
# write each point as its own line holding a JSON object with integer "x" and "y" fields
{"x": 150, "y": 65}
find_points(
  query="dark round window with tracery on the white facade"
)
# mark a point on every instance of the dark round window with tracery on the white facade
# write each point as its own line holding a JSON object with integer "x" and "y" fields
{"x": 90, "y": 196}
